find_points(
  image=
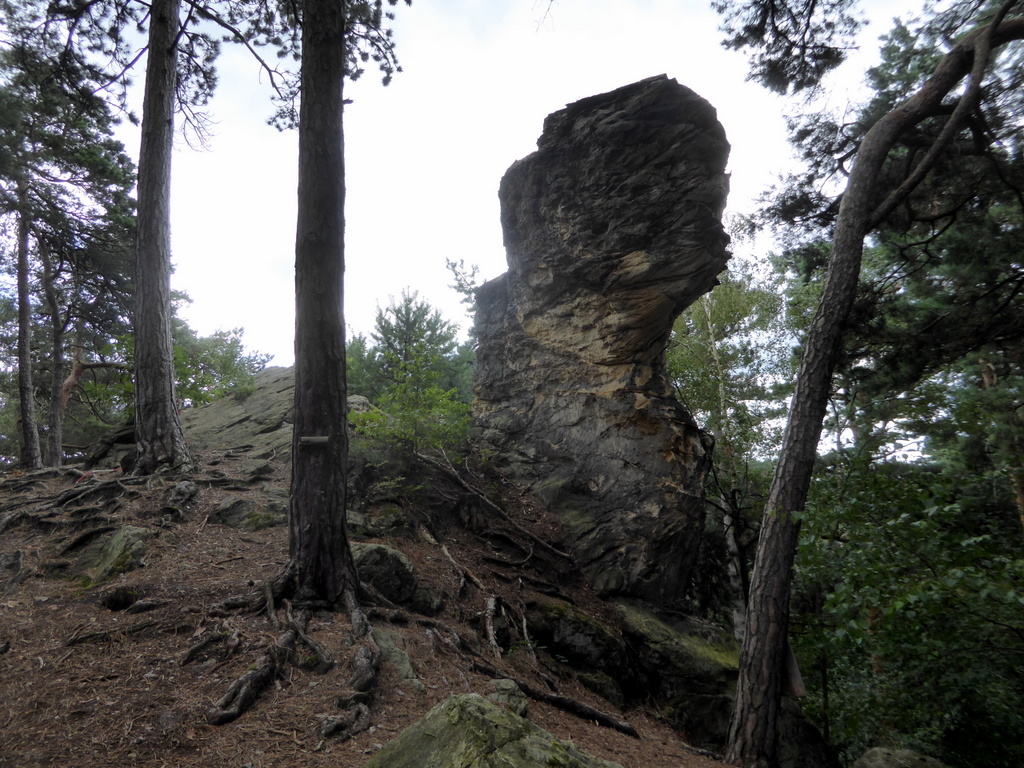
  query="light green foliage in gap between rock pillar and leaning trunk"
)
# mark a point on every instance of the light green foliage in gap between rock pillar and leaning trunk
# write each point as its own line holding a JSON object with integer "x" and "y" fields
{"x": 730, "y": 362}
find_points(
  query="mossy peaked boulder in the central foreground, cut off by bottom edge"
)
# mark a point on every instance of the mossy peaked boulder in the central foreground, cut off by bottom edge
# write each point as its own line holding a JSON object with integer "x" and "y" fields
{"x": 470, "y": 731}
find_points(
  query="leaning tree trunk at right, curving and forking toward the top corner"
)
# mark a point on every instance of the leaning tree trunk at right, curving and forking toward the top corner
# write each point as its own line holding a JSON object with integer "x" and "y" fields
{"x": 754, "y": 733}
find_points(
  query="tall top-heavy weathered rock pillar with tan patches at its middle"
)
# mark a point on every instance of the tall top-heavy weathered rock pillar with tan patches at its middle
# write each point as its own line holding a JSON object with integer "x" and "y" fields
{"x": 612, "y": 229}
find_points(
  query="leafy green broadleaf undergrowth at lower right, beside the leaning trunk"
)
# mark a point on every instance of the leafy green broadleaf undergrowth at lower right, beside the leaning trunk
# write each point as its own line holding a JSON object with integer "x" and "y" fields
{"x": 912, "y": 610}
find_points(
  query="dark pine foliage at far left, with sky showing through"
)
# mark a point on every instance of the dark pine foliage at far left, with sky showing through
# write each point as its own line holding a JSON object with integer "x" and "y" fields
{"x": 65, "y": 186}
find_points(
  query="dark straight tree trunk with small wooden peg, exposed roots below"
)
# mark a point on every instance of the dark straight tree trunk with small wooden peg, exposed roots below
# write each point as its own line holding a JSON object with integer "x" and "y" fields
{"x": 321, "y": 560}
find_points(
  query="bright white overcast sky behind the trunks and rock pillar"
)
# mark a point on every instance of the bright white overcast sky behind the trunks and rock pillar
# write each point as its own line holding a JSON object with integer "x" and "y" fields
{"x": 425, "y": 155}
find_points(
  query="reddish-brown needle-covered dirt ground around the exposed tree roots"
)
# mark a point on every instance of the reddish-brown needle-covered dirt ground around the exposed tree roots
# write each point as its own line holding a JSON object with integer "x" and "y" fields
{"x": 94, "y": 675}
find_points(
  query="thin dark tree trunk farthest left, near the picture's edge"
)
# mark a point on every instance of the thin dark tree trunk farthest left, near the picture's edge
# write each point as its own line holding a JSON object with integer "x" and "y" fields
{"x": 31, "y": 456}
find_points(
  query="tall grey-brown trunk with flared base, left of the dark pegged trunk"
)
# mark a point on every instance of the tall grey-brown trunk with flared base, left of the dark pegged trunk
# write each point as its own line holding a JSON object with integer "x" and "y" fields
{"x": 160, "y": 441}
